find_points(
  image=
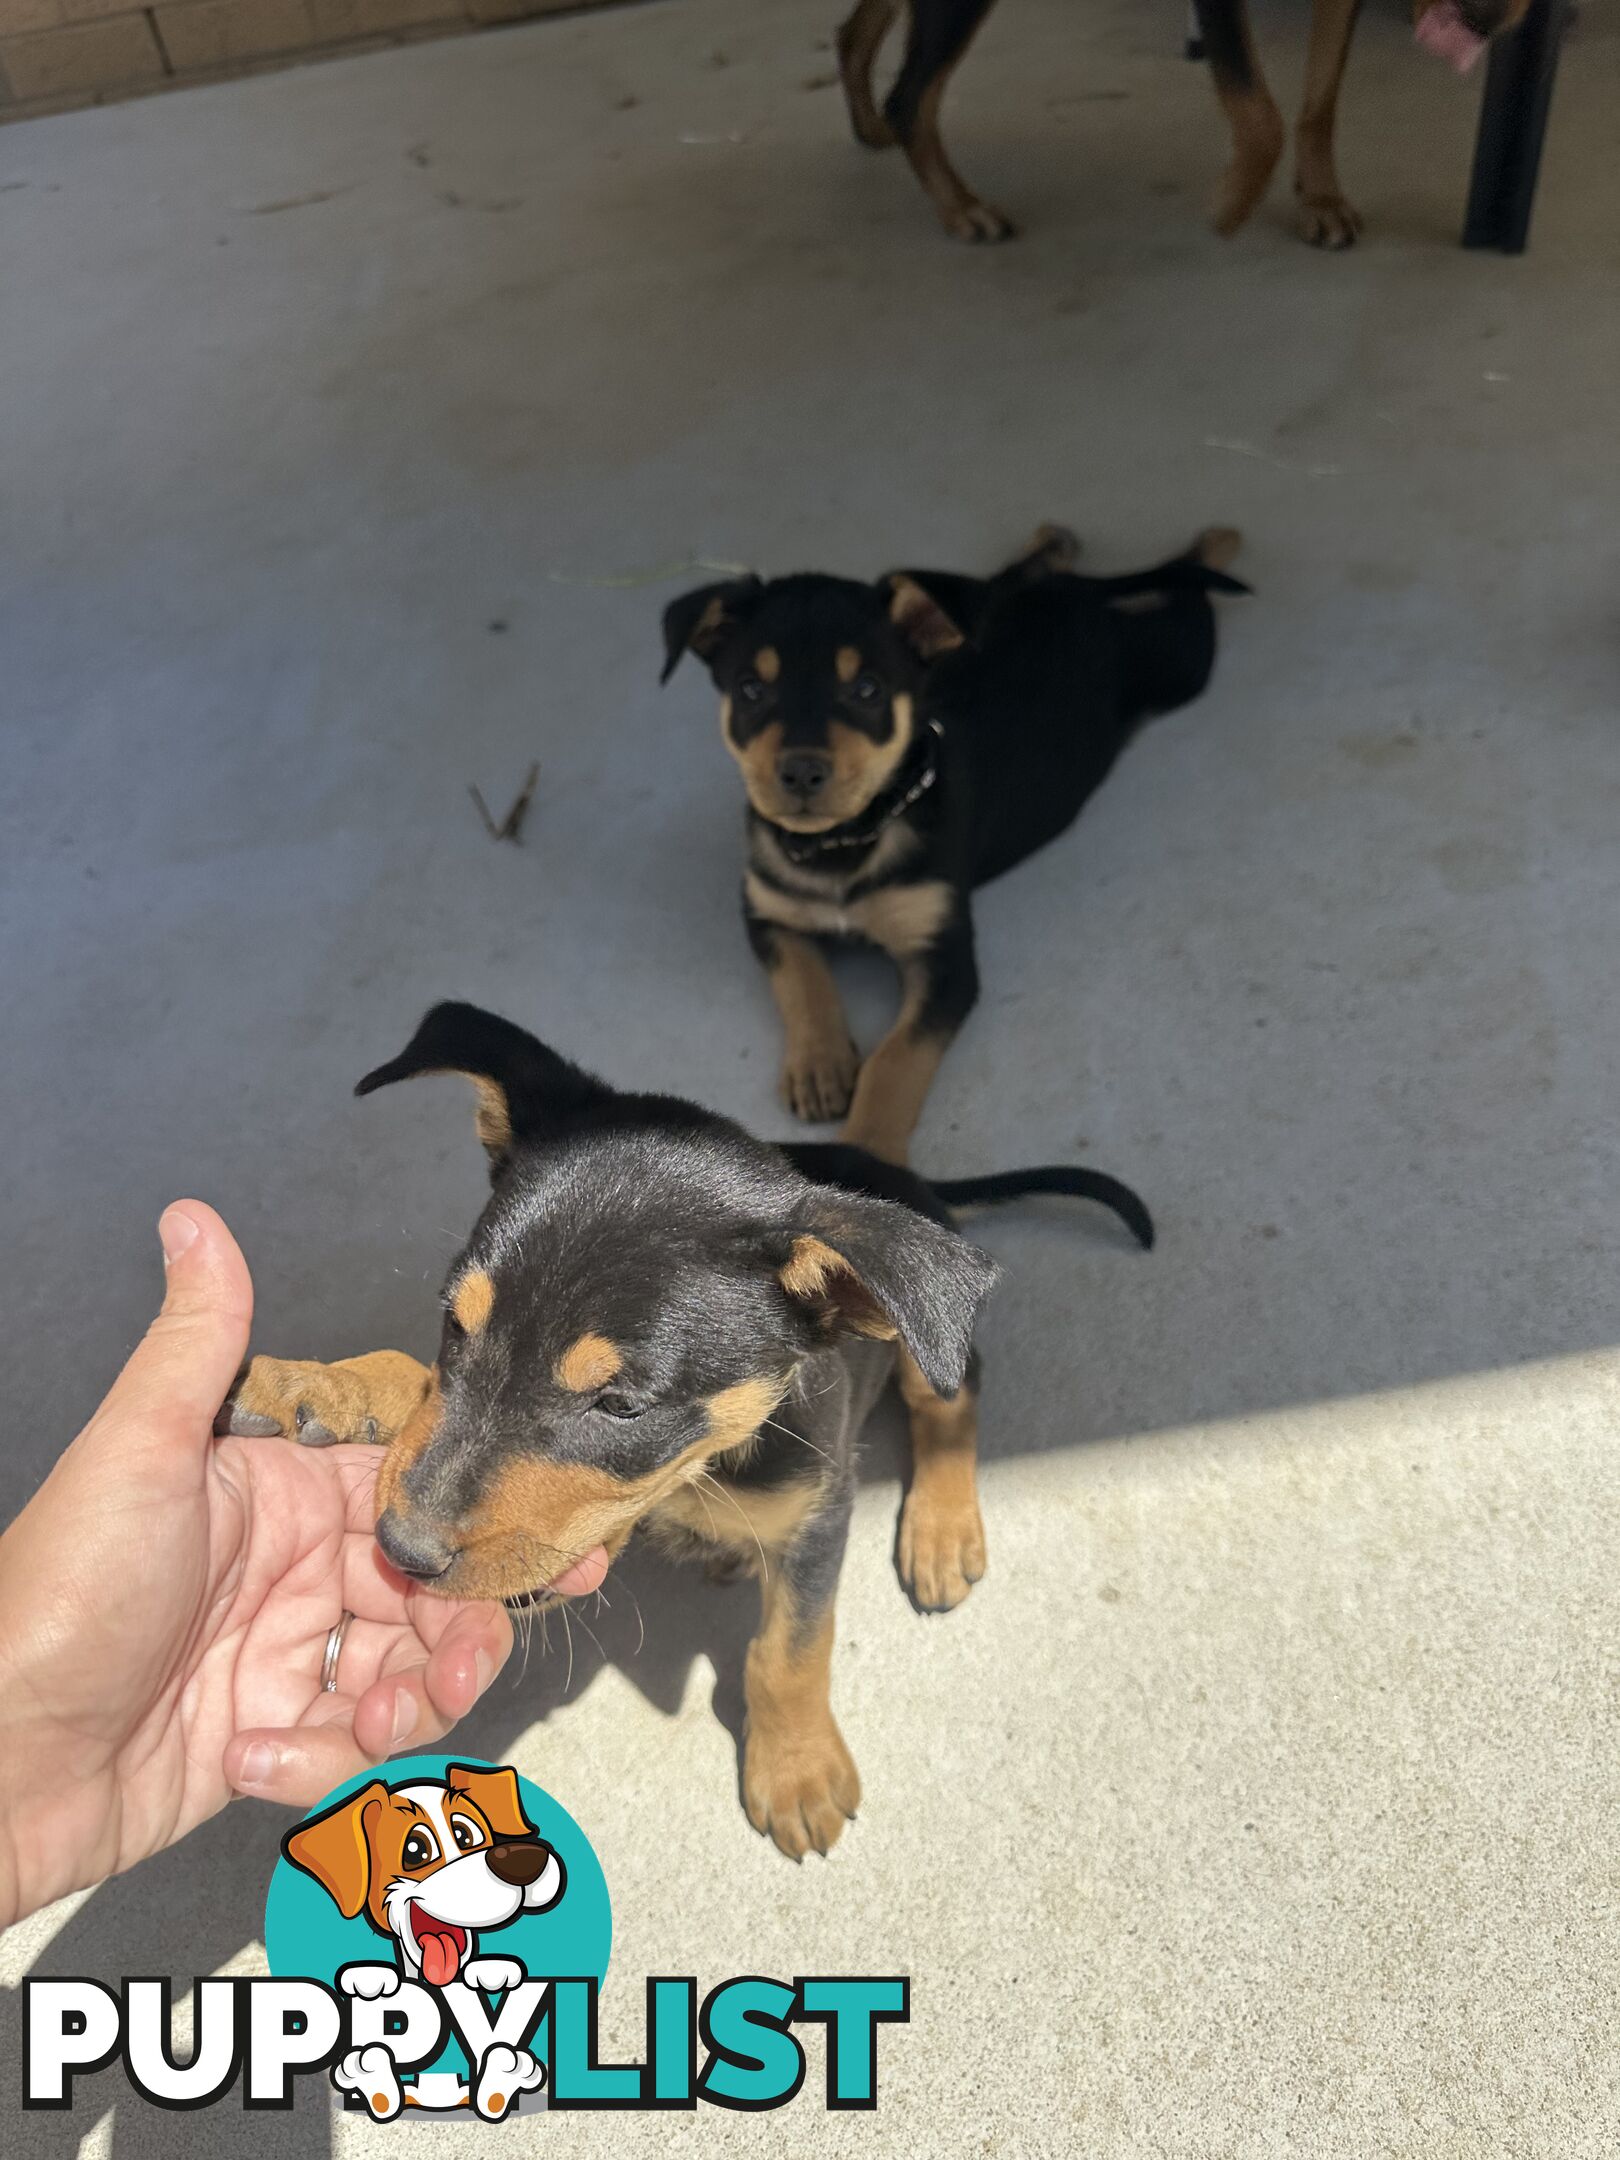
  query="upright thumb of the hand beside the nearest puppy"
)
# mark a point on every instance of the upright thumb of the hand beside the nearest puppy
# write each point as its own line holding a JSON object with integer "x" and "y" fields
{"x": 185, "y": 1366}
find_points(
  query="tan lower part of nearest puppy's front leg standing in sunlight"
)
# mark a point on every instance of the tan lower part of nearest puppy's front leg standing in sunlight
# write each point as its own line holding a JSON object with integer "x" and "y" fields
{"x": 800, "y": 1783}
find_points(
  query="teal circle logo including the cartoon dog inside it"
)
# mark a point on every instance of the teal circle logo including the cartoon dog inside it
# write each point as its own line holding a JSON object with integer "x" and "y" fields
{"x": 437, "y": 1872}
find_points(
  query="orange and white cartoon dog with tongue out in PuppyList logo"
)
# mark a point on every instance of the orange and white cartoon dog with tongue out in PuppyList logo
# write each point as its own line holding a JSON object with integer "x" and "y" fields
{"x": 433, "y": 1865}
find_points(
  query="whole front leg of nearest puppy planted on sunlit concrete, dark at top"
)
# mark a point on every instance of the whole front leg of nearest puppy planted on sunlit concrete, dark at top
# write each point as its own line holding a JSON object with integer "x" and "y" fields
{"x": 800, "y": 1783}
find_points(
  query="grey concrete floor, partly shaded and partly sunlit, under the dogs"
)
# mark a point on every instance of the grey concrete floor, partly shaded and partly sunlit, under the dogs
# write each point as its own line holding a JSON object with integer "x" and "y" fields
{"x": 1263, "y": 1798}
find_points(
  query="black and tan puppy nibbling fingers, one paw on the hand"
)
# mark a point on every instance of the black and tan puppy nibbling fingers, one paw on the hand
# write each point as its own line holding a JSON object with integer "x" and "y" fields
{"x": 660, "y": 1321}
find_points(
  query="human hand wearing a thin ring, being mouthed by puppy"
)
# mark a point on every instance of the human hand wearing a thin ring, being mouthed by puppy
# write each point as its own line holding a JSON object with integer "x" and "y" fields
{"x": 165, "y": 1606}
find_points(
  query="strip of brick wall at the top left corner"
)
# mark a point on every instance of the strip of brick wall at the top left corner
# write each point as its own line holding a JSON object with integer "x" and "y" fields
{"x": 81, "y": 53}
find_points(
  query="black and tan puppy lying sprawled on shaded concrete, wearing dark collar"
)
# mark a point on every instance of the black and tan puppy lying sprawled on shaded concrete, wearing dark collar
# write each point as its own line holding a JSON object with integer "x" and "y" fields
{"x": 906, "y": 742}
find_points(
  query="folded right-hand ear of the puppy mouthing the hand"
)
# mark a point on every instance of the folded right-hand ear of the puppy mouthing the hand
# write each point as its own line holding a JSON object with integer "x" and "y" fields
{"x": 887, "y": 1271}
